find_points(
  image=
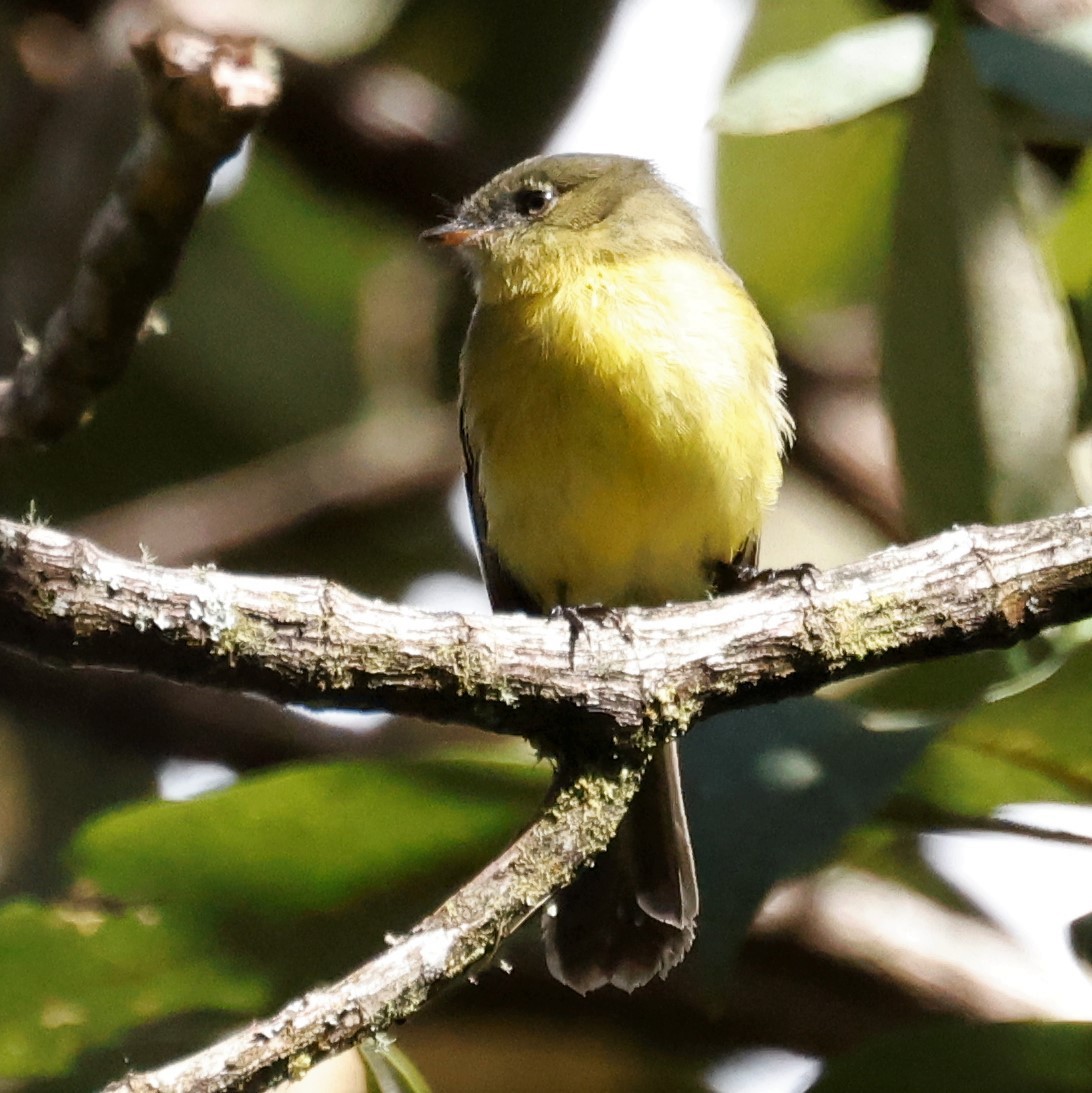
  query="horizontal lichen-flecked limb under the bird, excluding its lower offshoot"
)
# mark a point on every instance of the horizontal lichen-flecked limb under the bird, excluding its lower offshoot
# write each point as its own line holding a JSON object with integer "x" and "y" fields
{"x": 311, "y": 641}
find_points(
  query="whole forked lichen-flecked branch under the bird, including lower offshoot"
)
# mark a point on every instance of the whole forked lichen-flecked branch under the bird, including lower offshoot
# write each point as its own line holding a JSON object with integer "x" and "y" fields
{"x": 628, "y": 687}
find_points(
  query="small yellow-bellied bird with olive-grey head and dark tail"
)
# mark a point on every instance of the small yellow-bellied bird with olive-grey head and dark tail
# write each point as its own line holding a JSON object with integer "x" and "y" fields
{"x": 624, "y": 428}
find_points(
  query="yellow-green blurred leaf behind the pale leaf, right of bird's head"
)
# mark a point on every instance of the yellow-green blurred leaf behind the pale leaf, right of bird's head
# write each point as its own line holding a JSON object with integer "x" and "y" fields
{"x": 805, "y": 217}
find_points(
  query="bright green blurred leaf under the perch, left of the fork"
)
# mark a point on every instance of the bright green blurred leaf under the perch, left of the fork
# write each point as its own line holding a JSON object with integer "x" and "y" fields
{"x": 307, "y": 838}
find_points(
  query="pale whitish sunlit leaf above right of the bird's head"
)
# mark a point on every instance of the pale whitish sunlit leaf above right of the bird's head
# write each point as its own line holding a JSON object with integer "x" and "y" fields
{"x": 843, "y": 78}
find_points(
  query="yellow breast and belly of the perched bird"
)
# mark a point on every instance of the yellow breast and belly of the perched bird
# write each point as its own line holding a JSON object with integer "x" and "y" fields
{"x": 629, "y": 430}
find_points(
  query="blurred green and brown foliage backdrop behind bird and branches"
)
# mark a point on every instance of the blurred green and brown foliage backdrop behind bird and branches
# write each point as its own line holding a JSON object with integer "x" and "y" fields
{"x": 907, "y": 191}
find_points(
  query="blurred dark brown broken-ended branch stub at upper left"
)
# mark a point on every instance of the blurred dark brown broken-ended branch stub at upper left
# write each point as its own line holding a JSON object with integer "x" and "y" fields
{"x": 204, "y": 96}
